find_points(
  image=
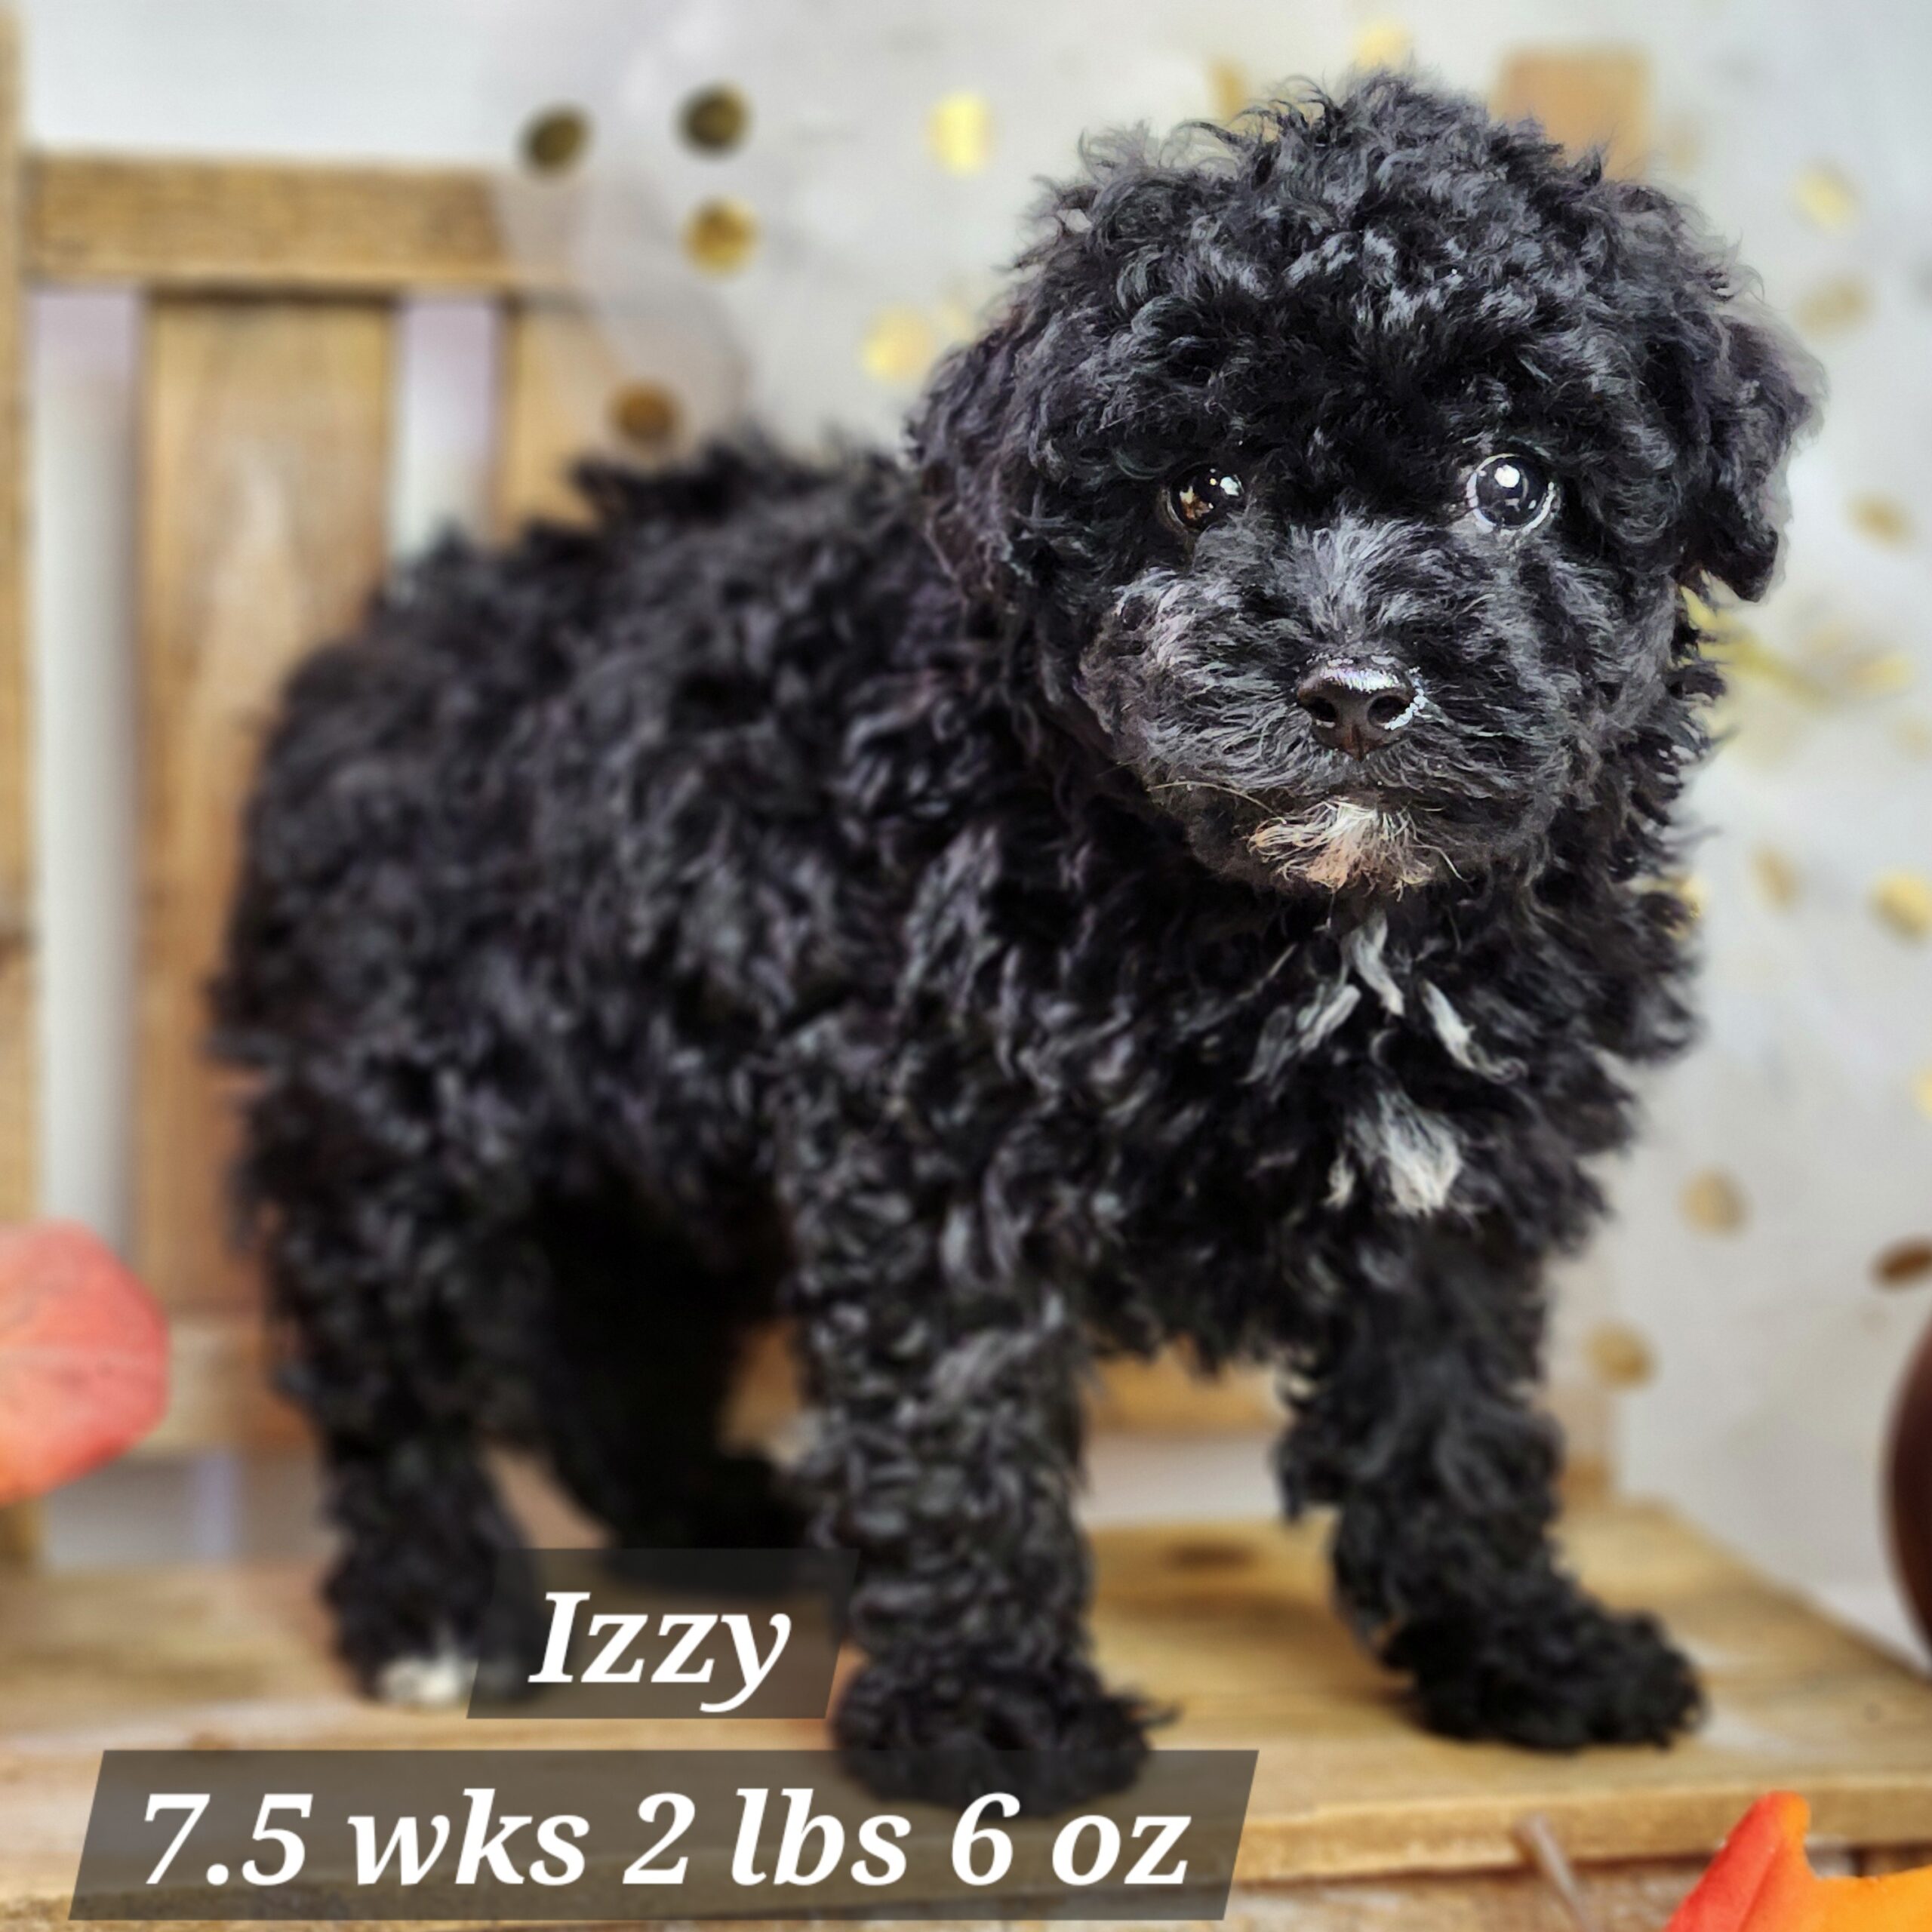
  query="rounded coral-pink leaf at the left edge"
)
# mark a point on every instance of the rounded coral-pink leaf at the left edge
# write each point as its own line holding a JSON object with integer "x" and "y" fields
{"x": 84, "y": 1357}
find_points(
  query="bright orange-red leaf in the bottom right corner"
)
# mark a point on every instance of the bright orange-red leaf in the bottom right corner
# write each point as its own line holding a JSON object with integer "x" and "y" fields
{"x": 1763, "y": 1883}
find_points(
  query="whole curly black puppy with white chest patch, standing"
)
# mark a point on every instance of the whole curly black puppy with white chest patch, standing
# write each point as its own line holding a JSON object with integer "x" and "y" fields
{"x": 1176, "y": 861}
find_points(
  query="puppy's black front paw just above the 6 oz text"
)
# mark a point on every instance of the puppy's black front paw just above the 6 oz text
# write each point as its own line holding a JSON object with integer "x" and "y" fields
{"x": 952, "y": 1730}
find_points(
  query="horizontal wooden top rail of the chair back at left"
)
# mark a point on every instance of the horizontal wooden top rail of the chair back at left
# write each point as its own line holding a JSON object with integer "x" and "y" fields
{"x": 270, "y": 227}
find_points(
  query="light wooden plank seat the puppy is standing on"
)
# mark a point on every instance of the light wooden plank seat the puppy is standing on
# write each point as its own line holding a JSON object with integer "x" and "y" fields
{"x": 1228, "y": 1622}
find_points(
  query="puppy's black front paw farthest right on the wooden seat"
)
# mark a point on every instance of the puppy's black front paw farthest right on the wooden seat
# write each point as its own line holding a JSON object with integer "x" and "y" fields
{"x": 1552, "y": 1678}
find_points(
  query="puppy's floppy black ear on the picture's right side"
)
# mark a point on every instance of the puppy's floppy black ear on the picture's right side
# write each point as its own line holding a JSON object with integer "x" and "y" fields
{"x": 1734, "y": 389}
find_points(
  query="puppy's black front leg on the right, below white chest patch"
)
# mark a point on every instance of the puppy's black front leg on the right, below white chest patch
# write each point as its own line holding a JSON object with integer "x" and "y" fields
{"x": 1419, "y": 1427}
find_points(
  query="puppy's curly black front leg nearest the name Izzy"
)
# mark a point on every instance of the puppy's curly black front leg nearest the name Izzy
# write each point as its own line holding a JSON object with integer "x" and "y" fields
{"x": 948, "y": 1458}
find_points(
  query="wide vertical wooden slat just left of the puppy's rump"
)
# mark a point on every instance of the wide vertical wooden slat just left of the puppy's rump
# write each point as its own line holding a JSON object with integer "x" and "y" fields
{"x": 264, "y": 507}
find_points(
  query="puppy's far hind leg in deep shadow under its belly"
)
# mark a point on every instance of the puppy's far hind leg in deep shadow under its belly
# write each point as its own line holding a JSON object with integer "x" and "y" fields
{"x": 635, "y": 1373}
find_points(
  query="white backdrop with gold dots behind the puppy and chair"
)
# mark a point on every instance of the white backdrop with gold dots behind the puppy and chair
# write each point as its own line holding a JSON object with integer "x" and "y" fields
{"x": 1788, "y": 1156}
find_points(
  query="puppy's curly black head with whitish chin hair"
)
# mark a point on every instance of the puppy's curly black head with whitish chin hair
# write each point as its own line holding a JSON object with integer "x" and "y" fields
{"x": 1346, "y": 470}
